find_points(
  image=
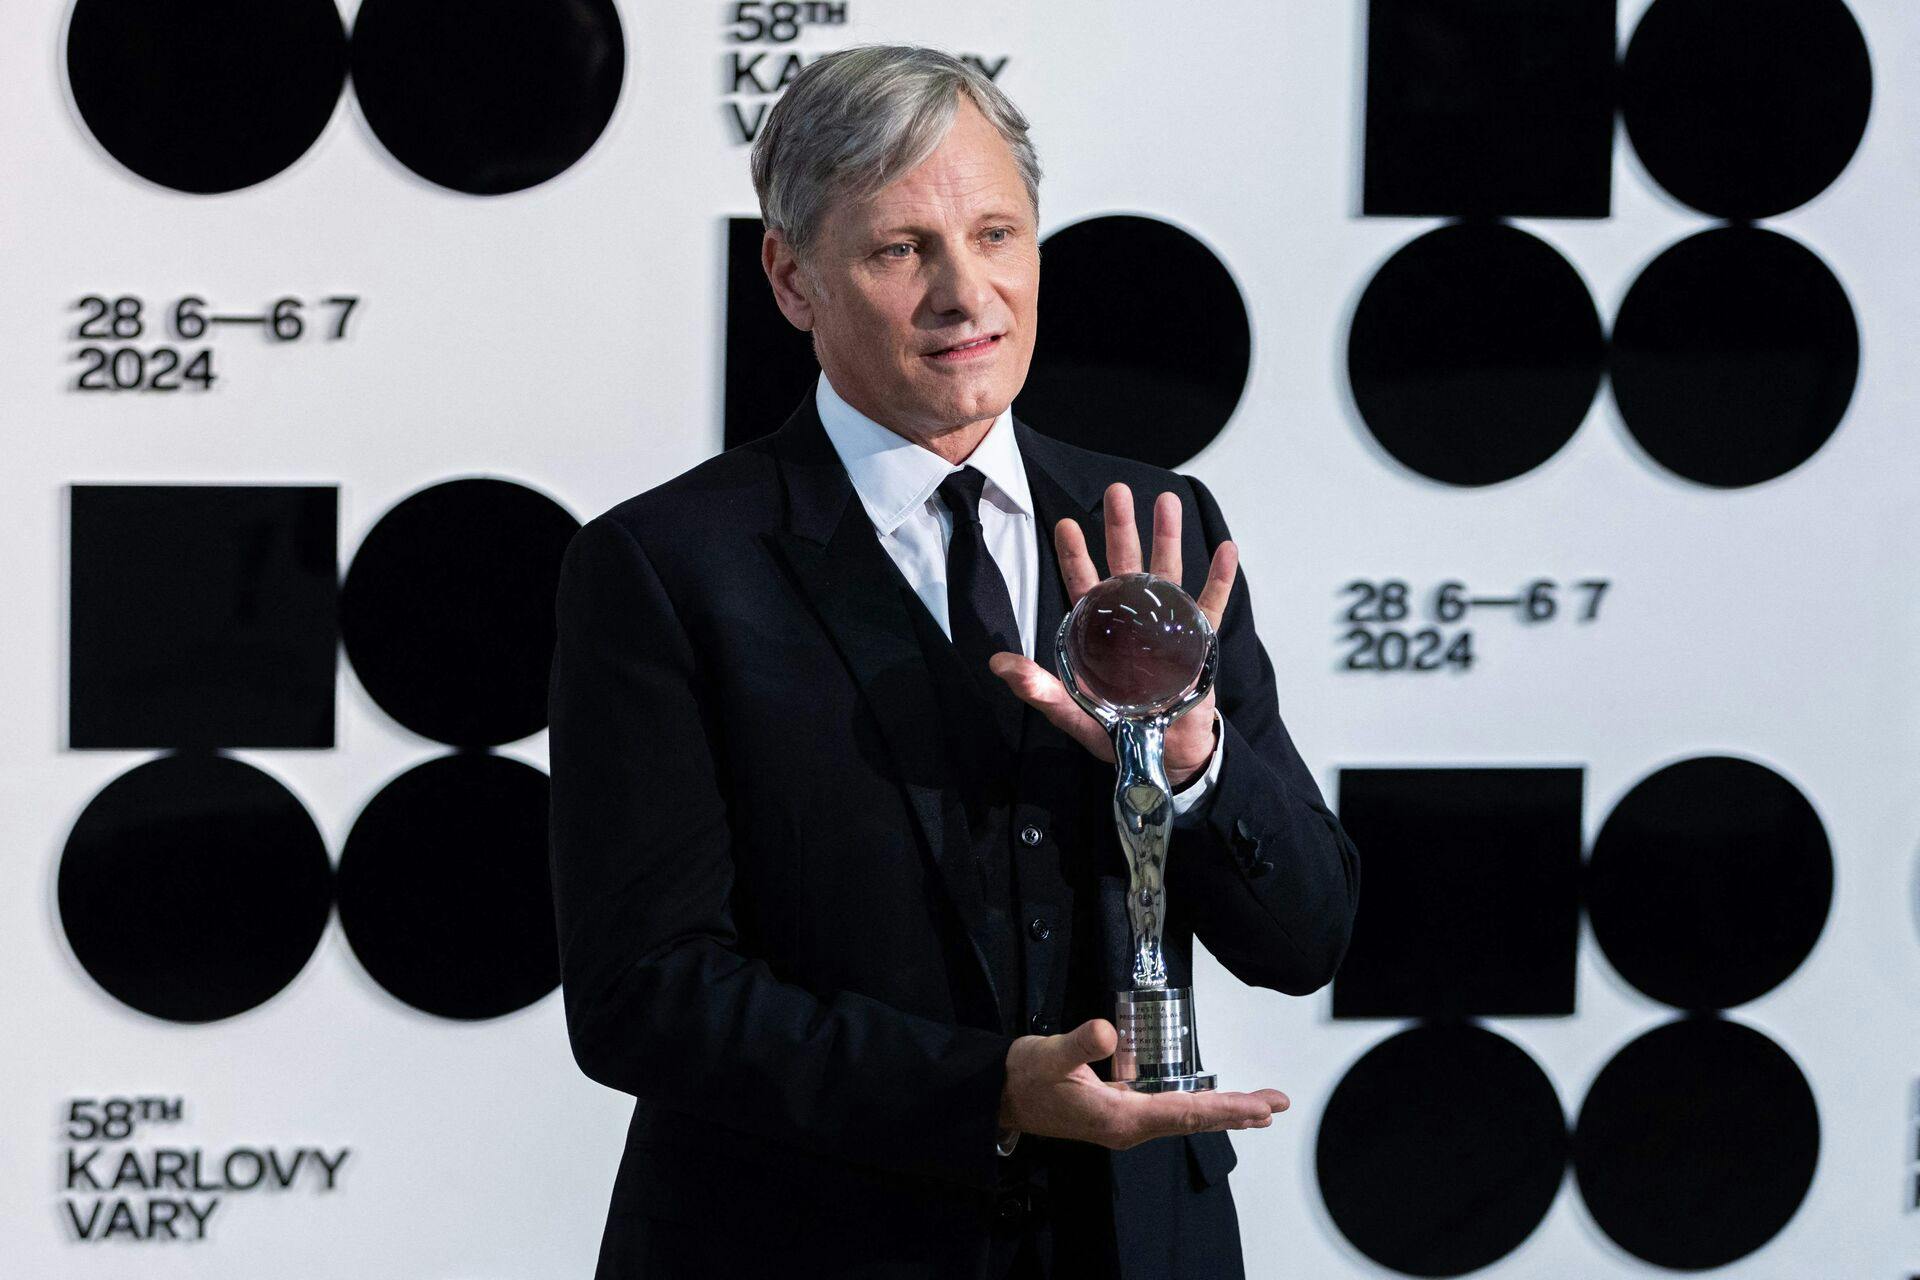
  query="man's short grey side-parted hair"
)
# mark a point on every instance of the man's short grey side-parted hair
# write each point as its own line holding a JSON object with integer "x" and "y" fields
{"x": 861, "y": 118}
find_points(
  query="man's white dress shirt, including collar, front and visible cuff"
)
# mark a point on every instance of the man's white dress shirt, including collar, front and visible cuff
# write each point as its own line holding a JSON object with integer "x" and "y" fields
{"x": 898, "y": 483}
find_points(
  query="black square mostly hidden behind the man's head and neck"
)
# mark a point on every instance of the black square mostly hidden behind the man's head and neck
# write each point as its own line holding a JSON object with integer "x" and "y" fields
{"x": 769, "y": 364}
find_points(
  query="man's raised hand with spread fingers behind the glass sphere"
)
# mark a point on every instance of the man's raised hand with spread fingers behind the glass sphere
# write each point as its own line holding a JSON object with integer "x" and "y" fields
{"x": 1189, "y": 742}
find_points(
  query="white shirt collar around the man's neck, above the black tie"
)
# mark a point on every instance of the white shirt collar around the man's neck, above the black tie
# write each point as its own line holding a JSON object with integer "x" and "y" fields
{"x": 894, "y": 475}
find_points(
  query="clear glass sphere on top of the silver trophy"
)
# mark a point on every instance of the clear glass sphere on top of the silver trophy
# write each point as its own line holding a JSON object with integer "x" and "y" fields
{"x": 1138, "y": 644}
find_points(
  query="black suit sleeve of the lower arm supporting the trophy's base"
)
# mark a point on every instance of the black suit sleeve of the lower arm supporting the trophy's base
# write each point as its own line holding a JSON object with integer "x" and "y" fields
{"x": 660, "y": 999}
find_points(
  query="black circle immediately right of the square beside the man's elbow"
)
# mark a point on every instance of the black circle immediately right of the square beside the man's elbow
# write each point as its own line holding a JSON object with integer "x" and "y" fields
{"x": 1710, "y": 884}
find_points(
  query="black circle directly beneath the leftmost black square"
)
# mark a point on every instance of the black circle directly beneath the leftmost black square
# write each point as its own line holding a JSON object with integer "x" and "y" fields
{"x": 195, "y": 888}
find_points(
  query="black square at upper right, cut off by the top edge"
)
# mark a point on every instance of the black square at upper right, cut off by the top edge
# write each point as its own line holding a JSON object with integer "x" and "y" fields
{"x": 1491, "y": 108}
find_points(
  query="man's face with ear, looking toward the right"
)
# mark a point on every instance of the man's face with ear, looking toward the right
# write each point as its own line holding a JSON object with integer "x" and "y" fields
{"x": 901, "y": 287}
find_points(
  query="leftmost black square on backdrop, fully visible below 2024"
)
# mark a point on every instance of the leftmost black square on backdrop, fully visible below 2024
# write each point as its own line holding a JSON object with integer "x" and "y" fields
{"x": 203, "y": 615}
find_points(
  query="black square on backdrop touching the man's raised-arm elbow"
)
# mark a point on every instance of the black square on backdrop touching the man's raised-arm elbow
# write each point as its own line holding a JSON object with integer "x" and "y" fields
{"x": 1472, "y": 905}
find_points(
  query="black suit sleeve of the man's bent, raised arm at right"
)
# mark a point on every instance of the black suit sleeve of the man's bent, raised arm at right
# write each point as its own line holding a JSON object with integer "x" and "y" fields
{"x": 1270, "y": 880}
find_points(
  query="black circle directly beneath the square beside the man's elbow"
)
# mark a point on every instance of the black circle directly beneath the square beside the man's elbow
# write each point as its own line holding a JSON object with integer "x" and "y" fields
{"x": 1441, "y": 1150}
